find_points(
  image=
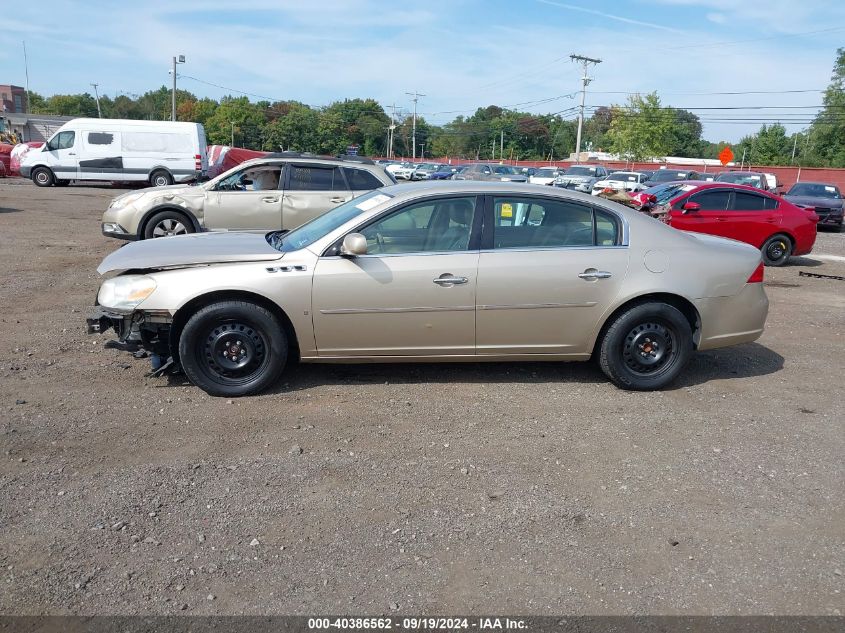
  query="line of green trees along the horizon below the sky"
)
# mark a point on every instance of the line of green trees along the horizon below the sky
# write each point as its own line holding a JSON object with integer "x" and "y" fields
{"x": 640, "y": 129}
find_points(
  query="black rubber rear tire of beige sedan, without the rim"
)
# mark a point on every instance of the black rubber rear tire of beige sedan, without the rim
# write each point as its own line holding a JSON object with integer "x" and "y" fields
{"x": 611, "y": 358}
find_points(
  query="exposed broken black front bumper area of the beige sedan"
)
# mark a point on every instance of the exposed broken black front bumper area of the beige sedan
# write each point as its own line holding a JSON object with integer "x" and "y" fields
{"x": 140, "y": 333}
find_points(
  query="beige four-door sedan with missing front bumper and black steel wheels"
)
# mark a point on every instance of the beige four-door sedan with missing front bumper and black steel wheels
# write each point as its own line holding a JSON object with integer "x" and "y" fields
{"x": 436, "y": 271}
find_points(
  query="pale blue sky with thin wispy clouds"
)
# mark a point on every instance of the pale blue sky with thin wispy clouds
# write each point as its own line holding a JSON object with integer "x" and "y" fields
{"x": 461, "y": 54}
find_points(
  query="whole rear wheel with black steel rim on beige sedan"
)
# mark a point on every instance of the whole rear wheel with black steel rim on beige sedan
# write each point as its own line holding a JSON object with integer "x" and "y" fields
{"x": 646, "y": 347}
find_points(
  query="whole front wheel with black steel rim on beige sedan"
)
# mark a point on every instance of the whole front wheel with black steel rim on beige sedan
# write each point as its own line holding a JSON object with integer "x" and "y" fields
{"x": 233, "y": 348}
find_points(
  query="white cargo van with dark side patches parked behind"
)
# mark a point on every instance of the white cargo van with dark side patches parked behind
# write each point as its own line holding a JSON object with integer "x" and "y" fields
{"x": 117, "y": 150}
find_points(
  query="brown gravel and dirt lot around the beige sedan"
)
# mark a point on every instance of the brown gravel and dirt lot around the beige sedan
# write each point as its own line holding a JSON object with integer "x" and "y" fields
{"x": 532, "y": 489}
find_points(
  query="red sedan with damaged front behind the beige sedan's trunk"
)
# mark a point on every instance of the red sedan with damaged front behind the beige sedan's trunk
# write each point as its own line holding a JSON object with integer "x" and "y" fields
{"x": 774, "y": 225}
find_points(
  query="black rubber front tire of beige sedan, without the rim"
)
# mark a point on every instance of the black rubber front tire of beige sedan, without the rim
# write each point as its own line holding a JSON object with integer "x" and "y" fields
{"x": 191, "y": 349}
